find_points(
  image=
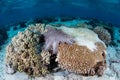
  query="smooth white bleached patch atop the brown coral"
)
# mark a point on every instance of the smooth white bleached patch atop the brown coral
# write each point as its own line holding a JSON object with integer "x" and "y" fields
{"x": 83, "y": 36}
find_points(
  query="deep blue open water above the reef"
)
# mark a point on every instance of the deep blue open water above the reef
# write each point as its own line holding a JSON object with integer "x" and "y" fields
{"x": 12, "y": 11}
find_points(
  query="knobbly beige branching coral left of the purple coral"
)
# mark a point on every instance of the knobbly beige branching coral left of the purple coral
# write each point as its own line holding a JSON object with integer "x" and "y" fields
{"x": 25, "y": 52}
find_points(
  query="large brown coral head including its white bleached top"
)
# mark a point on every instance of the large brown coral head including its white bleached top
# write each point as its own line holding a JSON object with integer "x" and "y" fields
{"x": 86, "y": 56}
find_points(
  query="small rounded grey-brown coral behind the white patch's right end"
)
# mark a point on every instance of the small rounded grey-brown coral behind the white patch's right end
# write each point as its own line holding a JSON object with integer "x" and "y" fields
{"x": 103, "y": 34}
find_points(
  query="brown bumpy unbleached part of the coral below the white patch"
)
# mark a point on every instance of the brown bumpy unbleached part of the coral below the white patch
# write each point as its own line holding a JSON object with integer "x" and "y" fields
{"x": 80, "y": 59}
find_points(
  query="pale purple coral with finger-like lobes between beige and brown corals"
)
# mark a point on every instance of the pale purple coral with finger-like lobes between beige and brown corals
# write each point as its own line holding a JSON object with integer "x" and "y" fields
{"x": 53, "y": 37}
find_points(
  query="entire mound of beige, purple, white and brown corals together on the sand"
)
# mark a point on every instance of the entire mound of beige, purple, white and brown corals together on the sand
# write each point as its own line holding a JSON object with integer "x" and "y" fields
{"x": 78, "y": 50}
